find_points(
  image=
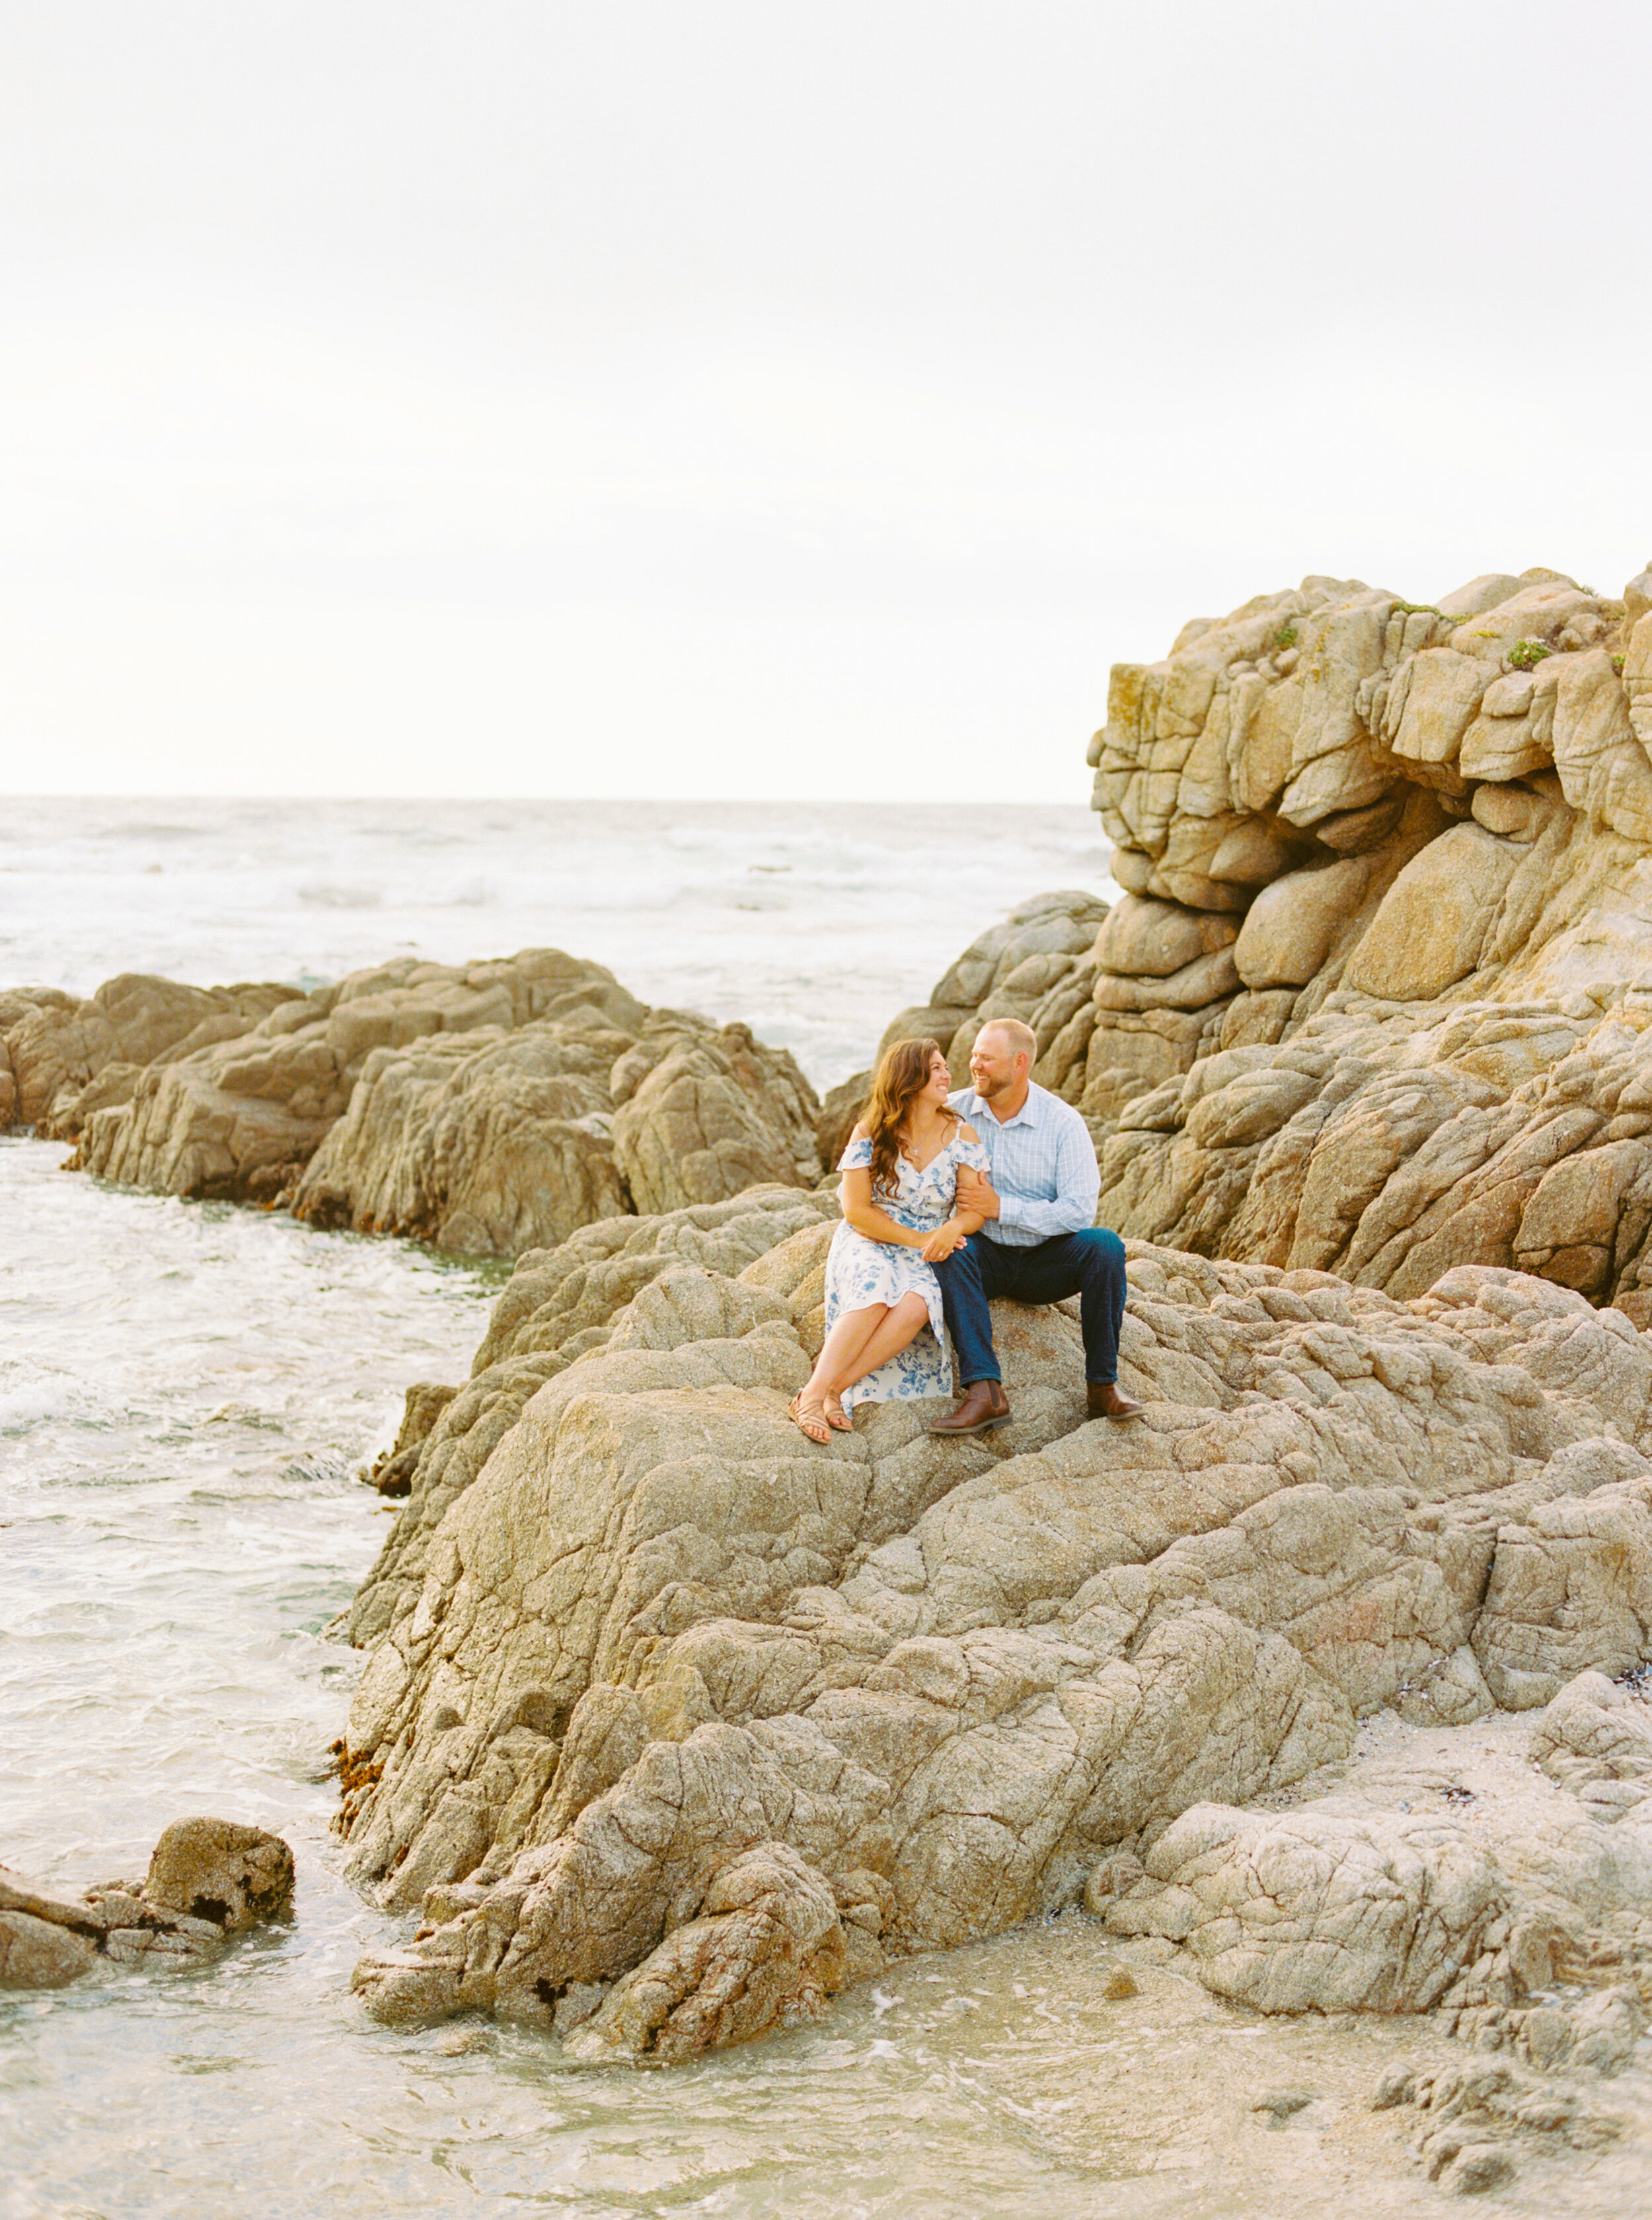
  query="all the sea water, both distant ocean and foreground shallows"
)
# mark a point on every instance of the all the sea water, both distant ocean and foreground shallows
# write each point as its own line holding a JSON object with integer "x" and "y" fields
{"x": 188, "y": 1400}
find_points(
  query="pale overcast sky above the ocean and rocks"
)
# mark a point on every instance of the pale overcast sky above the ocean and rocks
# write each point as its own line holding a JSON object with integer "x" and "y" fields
{"x": 749, "y": 398}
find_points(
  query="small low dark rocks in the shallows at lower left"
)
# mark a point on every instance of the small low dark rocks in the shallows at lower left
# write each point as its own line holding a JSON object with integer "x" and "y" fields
{"x": 210, "y": 1879}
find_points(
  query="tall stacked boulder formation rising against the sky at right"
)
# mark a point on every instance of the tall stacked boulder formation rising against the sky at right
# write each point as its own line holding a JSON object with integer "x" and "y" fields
{"x": 1378, "y": 996}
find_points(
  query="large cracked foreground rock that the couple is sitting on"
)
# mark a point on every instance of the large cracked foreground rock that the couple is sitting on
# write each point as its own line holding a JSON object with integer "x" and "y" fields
{"x": 676, "y": 1724}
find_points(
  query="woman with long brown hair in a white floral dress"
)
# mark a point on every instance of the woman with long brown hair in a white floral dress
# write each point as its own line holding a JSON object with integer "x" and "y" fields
{"x": 885, "y": 1335}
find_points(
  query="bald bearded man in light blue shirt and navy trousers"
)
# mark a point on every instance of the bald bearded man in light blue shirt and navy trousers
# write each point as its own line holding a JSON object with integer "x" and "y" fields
{"x": 1040, "y": 1240}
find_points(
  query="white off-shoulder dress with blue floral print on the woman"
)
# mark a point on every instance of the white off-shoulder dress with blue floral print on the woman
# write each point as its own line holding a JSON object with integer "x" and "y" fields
{"x": 860, "y": 1271}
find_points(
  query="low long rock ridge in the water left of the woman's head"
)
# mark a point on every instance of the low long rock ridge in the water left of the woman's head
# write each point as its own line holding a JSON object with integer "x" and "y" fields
{"x": 490, "y": 1109}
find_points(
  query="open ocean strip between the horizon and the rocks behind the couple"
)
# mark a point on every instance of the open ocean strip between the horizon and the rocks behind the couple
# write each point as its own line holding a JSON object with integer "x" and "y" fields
{"x": 812, "y": 922}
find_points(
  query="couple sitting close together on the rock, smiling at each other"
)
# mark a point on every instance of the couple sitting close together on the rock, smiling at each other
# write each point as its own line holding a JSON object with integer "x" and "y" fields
{"x": 927, "y": 1173}
